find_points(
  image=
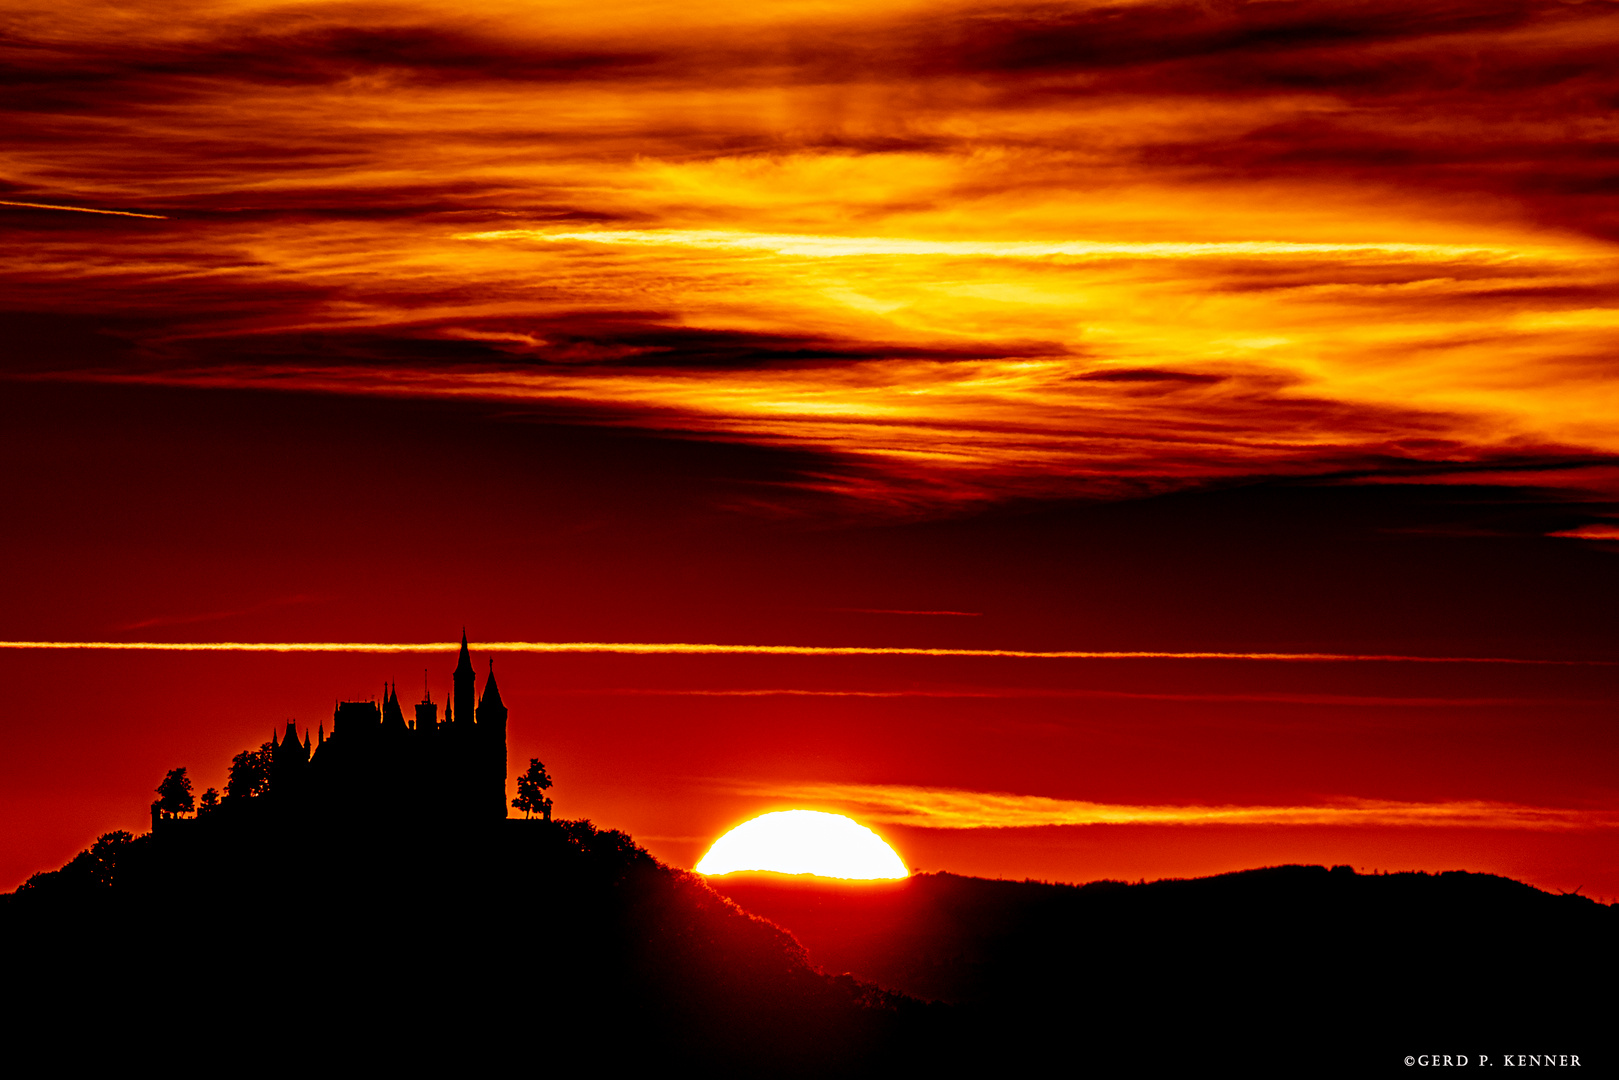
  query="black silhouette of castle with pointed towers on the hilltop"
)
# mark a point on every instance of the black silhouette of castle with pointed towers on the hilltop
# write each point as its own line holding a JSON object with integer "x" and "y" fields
{"x": 376, "y": 762}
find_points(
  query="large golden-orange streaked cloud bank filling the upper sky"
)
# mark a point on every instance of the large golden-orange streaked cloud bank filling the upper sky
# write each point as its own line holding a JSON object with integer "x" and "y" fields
{"x": 951, "y": 253}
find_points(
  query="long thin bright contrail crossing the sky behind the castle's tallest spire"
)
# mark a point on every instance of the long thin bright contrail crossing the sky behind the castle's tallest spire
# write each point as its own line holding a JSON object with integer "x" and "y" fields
{"x": 682, "y": 648}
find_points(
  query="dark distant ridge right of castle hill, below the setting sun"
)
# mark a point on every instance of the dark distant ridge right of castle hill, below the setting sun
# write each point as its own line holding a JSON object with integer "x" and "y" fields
{"x": 1294, "y": 959}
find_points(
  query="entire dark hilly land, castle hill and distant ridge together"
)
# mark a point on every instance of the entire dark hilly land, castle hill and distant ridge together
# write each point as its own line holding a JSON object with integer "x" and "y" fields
{"x": 260, "y": 940}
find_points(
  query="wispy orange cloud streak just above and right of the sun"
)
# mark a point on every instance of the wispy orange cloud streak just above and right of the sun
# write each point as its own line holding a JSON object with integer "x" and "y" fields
{"x": 954, "y": 809}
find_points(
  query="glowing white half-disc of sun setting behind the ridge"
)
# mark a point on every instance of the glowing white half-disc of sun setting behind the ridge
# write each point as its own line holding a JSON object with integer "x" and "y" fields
{"x": 804, "y": 843}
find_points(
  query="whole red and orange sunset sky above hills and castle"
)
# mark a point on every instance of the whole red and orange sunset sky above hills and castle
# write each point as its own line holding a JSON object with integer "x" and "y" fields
{"x": 1111, "y": 441}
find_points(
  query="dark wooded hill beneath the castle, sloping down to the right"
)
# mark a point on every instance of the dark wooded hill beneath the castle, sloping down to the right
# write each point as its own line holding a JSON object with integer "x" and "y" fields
{"x": 268, "y": 942}
